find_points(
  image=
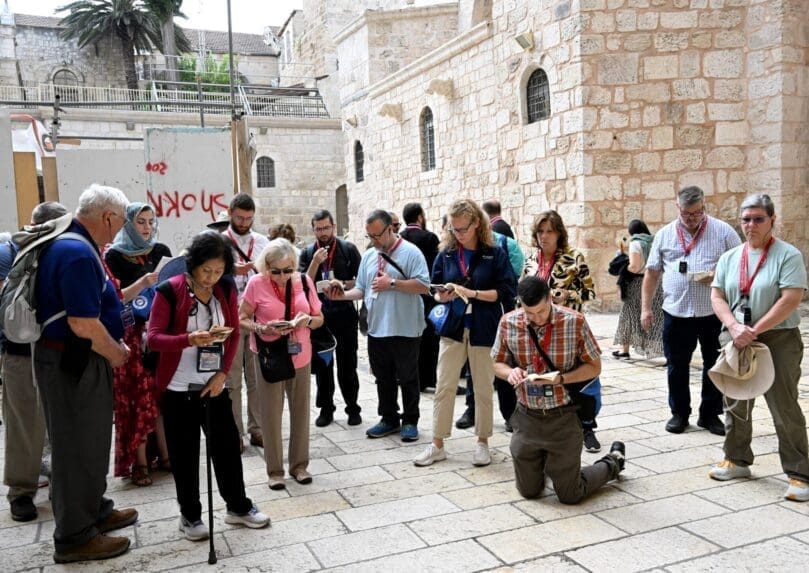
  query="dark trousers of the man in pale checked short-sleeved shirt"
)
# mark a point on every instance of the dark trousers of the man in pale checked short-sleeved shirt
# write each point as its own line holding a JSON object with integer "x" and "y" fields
{"x": 680, "y": 337}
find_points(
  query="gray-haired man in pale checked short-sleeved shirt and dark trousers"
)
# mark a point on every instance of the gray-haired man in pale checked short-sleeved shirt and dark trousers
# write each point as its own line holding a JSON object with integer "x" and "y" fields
{"x": 685, "y": 253}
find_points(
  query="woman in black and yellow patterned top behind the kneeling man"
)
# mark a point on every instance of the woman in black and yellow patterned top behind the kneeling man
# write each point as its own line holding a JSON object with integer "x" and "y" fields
{"x": 568, "y": 277}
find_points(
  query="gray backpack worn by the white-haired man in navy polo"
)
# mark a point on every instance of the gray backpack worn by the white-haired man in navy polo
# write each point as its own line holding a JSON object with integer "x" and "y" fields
{"x": 18, "y": 307}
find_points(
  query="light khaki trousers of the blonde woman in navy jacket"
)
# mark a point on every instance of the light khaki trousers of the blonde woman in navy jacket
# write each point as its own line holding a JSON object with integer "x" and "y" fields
{"x": 451, "y": 357}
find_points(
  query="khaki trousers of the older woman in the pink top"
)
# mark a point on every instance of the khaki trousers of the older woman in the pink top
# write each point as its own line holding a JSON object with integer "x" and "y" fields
{"x": 271, "y": 409}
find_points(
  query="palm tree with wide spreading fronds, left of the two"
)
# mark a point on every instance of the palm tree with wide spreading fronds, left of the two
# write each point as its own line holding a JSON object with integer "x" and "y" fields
{"x": 89, "y": 21}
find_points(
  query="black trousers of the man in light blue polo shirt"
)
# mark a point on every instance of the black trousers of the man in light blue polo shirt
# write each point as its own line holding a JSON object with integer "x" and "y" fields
{"x": 393, "y": 360}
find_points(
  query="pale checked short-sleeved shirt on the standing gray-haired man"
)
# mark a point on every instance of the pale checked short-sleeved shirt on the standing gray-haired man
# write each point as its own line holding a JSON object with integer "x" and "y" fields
{"x": 685, "y": 298}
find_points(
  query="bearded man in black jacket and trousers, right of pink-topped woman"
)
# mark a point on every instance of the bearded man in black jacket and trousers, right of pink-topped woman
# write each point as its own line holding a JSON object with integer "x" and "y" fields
{"x": 332, "y": 258}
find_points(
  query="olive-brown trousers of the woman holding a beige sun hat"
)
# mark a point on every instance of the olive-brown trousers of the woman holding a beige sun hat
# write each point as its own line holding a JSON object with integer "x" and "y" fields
{"x": 786, "y": 348}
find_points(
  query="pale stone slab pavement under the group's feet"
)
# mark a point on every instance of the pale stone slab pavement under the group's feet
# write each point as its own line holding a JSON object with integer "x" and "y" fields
{"x": 370, "y": 509}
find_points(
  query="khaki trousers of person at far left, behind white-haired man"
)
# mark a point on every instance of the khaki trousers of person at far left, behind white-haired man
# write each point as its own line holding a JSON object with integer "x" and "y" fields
{"x": 25, "y": 427}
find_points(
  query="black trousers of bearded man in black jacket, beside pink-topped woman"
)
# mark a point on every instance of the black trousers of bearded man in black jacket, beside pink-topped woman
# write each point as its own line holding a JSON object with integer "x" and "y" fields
{"x": 344, "y": 327}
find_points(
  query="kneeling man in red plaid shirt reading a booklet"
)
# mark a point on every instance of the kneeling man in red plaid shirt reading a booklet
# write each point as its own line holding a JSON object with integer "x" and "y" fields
{"x": 547, "y": 435}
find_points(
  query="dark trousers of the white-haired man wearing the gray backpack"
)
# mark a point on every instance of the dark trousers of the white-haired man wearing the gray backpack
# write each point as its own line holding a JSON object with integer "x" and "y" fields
{"x": 78, "y": 415}
